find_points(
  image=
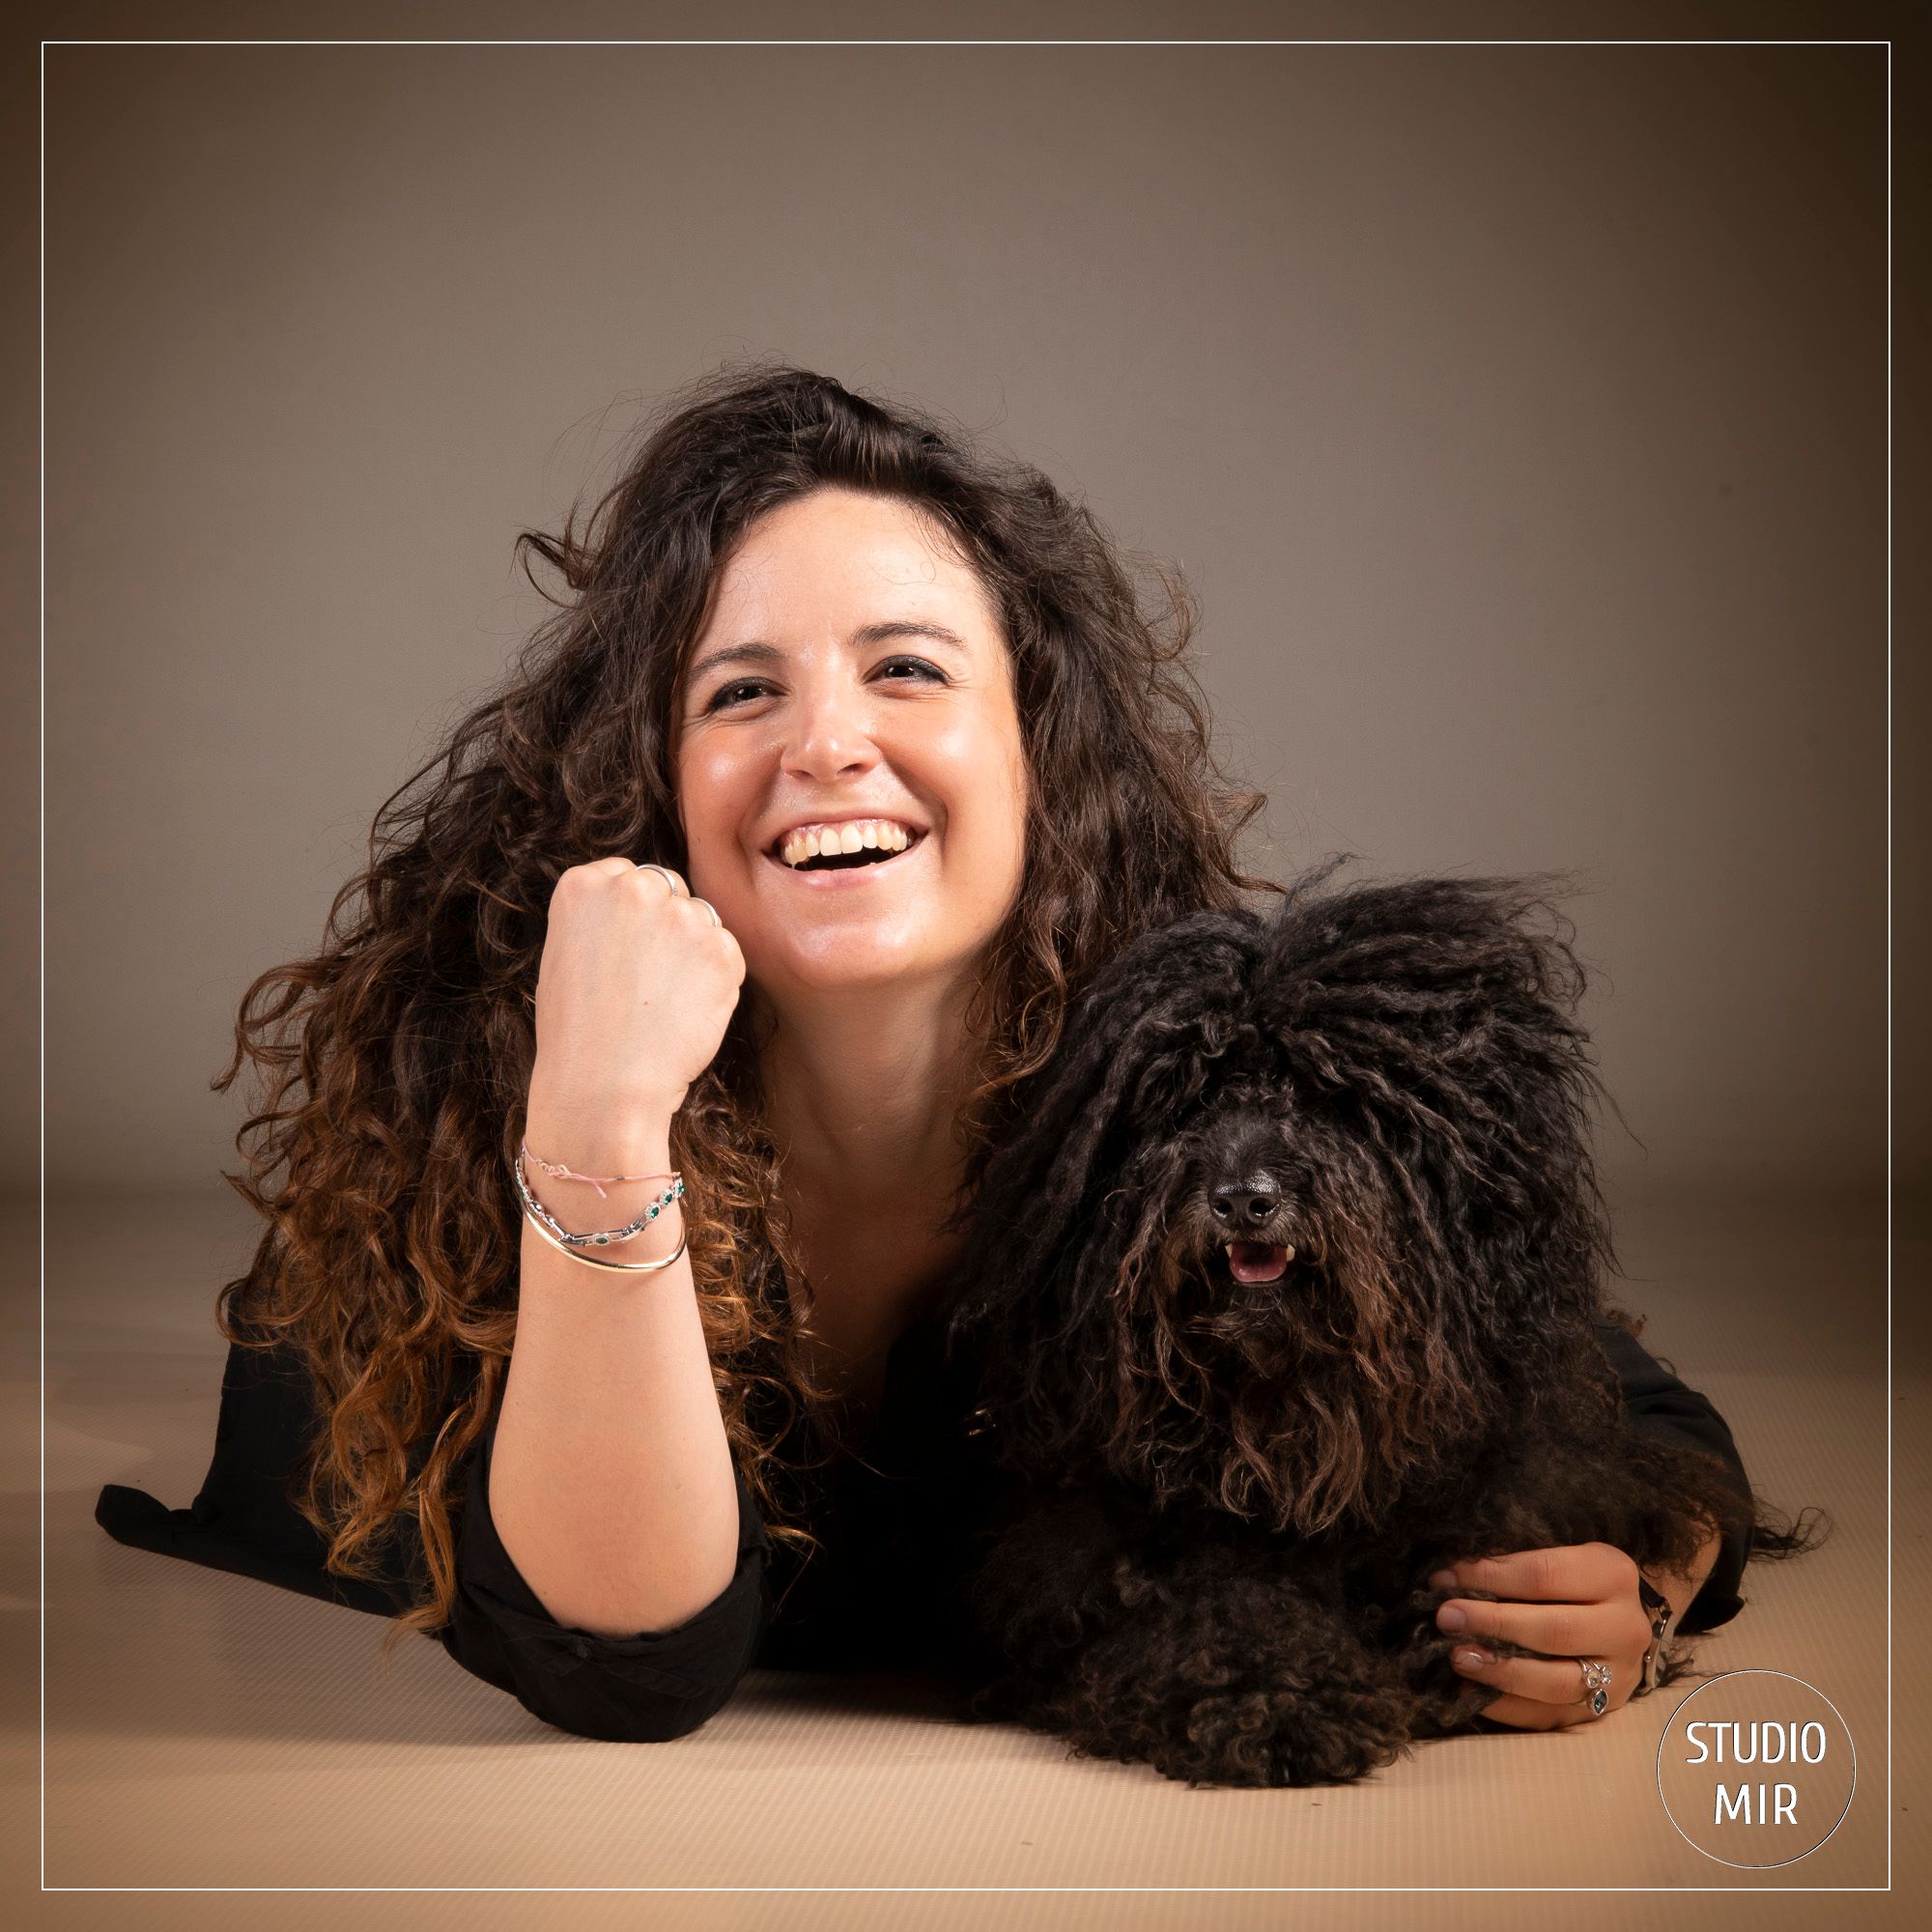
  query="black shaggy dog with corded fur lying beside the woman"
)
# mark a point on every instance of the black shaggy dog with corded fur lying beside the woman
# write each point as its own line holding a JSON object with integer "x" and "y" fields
{"x": 1282, "y": 1299}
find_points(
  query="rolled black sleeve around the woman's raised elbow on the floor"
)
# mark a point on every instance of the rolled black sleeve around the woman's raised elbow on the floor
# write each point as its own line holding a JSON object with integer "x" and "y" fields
{"x": 631, "y": 1690}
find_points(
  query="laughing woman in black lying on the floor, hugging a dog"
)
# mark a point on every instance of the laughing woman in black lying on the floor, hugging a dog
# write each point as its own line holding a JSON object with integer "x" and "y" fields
{"x": 627, "y": 953}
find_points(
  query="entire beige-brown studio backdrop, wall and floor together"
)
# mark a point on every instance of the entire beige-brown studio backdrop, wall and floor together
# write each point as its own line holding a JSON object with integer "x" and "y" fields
{"x": 1521, "y": 422}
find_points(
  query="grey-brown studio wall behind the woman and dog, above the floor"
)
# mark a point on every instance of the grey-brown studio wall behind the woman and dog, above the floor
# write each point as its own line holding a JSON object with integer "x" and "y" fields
{"x": 1518, "y": 416}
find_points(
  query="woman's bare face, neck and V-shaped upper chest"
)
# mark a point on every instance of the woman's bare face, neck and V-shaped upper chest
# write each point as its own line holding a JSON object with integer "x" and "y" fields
{"x": 778, "y": 781}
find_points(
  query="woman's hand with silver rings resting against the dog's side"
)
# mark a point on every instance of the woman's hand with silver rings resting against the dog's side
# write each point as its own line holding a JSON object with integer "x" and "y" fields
{"x": 1572, "y": 1605}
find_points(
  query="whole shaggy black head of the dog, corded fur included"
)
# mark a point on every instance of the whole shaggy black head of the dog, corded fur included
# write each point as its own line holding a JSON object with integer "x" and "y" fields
{"x": 1299, "y": 1208}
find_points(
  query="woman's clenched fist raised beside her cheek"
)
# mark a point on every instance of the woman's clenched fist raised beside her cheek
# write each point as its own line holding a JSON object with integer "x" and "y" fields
{"x": 635, "y": 992}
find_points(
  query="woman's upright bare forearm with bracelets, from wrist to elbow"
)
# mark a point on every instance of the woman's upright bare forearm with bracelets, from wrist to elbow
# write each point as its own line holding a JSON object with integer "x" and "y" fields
{"x": 611, "y": 1479}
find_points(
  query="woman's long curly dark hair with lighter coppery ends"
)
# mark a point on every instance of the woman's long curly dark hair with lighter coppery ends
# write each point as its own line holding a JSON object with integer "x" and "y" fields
{"x": 393, "y": 1065}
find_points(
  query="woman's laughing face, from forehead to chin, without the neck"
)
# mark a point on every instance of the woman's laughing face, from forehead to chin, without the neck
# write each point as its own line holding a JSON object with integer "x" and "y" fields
{"x": 853, "y": 671}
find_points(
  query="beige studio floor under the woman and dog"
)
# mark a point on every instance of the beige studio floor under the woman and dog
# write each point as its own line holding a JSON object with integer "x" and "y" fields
{"x": 210, "y": 1732}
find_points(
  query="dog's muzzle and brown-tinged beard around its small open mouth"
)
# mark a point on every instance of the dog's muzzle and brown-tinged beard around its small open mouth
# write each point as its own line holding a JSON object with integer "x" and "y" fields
{"x": 1272, "y": 1322}
